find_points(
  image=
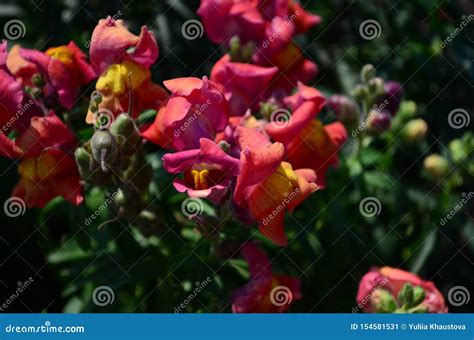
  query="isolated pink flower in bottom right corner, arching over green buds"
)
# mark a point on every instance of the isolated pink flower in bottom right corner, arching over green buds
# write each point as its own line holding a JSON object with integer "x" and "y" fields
{"x": 392, "y": 280}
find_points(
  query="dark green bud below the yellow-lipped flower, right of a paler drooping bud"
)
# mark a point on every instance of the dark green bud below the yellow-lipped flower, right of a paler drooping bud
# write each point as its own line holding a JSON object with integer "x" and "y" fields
{"x": 125, "y": 131}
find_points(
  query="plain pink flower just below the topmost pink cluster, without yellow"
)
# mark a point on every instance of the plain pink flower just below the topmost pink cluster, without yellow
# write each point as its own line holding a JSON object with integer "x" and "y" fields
{"x": 243, "y": 84}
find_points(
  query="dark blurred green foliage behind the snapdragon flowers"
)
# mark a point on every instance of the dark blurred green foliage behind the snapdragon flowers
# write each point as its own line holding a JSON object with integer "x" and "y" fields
{"x": 66, "y": 262}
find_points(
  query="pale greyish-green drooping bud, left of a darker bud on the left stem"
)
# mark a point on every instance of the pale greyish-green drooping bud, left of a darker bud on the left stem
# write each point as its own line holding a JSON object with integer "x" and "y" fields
{"x": 104, "y": 149}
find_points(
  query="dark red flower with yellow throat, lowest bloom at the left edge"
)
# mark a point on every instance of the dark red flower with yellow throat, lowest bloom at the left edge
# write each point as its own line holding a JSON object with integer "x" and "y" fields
{"x": 46, "y": 169}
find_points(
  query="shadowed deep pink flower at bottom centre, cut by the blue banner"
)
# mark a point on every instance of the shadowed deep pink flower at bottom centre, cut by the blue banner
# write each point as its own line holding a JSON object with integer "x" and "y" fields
{"x": 266, "y": 292}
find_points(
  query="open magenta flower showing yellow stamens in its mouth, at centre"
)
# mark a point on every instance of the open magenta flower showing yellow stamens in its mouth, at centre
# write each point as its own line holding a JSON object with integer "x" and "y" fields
{"x": 207, "y": 171}
